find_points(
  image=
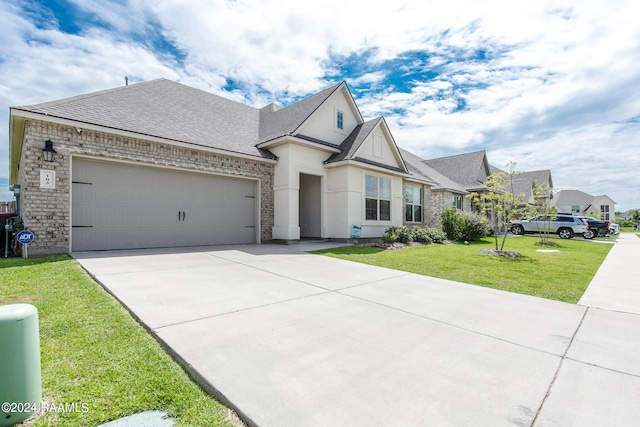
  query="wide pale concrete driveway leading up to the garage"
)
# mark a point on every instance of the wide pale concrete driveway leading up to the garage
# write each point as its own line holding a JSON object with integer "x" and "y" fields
{"x": 292, "y": 339}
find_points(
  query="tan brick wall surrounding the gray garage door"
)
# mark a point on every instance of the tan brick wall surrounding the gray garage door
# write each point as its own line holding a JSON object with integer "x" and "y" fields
{"x": 46, "y": 212}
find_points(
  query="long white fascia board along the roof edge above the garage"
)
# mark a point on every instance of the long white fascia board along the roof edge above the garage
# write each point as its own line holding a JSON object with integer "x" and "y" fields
{"x": 129, "y": 134}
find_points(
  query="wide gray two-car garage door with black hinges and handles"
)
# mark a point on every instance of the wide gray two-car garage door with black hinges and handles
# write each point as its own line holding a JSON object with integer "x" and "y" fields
{"x": 124, "y": 206}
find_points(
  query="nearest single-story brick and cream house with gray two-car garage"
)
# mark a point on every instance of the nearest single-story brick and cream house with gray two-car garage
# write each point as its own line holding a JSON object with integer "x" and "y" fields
{"x": 161, "y": 164}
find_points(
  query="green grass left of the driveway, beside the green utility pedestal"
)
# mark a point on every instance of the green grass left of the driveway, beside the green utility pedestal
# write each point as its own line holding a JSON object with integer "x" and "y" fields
{"x": 93, "y": 352}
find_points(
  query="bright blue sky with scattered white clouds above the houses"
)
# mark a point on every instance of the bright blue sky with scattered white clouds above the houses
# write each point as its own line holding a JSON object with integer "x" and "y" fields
{"x": 545, "y": 84}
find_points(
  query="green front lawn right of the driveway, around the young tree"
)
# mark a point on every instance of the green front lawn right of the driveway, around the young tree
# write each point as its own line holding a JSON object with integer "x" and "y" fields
{"x": 560, "y": 276}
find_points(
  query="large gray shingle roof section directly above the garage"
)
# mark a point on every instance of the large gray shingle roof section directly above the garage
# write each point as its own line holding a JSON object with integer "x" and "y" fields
{"x": 165, "y": 109}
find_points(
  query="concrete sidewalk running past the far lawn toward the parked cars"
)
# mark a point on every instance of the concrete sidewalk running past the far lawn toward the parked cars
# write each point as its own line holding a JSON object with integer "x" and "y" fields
{"x": 616, "y": 285}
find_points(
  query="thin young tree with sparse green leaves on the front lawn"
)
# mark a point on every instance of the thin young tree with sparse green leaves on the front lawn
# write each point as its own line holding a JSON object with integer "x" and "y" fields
{"x": 500, "y": 201}
